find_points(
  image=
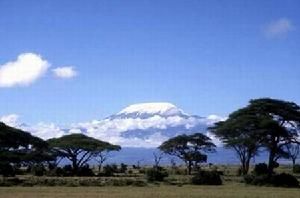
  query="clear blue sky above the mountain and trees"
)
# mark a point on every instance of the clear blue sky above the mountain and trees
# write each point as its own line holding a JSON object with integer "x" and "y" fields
{"x": 207, "y": 57}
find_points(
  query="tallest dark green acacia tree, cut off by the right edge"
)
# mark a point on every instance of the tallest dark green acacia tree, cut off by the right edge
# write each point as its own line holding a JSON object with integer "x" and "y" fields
{"x": 282, "y": 122}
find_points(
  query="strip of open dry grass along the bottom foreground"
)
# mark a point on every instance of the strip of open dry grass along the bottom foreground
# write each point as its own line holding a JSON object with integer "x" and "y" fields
{"x": 228, "y": 190}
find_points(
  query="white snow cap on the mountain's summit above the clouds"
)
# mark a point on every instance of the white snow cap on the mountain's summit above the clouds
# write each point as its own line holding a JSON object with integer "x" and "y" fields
{"x": 161, "y": 108}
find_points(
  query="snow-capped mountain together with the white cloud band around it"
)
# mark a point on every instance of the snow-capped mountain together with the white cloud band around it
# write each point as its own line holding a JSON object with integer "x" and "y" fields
{"x": 140, "y": 125}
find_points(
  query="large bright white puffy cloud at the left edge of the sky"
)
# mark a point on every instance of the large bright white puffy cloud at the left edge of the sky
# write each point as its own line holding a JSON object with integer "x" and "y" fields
{"x": 25, "y": 70}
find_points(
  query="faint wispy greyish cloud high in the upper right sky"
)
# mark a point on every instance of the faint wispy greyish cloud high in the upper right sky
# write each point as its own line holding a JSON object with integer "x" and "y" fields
{"x": 278, "y": 28}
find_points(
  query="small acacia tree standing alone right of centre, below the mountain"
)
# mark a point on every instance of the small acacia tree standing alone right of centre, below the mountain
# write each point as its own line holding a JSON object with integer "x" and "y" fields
{"x": 189, "y": 148}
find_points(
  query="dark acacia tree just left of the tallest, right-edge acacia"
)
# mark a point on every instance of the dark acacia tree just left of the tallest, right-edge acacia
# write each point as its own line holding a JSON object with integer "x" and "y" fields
{"x": 239, "y": 132}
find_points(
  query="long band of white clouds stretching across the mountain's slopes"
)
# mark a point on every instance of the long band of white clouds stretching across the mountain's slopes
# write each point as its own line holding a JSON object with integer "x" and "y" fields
{"x": 111, "y": 130}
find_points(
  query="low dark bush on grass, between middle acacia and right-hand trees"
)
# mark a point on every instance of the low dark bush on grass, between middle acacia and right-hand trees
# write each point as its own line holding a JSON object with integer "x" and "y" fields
{"x": 207, "y": 178}
